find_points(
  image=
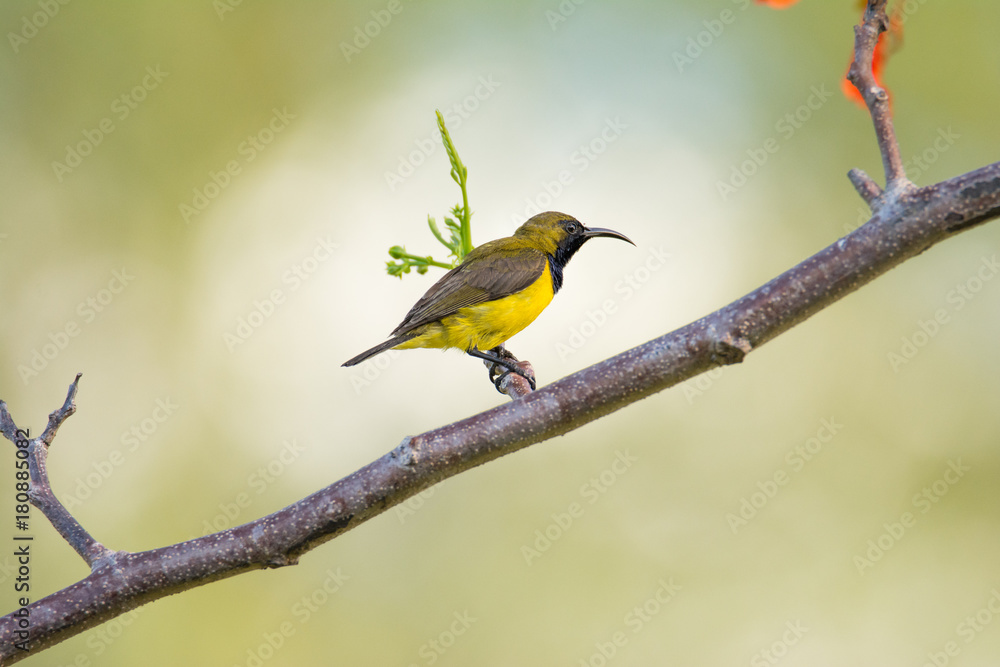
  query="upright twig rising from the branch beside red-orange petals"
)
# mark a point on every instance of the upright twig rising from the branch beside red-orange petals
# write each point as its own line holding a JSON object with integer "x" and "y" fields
{"x": 866, "y": 35}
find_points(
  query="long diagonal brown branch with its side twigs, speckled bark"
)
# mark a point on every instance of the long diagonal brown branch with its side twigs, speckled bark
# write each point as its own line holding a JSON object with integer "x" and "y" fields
{"x": 906, "y": 221}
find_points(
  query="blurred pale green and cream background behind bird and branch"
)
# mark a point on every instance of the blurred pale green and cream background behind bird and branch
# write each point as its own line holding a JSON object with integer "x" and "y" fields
{"x": 301, "y": 135}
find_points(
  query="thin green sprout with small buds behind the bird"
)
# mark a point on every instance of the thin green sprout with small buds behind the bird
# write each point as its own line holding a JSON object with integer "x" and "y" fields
{"x": 459, "y": 240}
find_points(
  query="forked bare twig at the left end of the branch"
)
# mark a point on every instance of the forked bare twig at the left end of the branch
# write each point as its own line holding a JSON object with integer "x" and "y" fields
{"x": 40, "y": 491}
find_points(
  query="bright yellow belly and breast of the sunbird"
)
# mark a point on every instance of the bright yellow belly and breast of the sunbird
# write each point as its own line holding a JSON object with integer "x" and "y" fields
{"x": 486, "y": 325}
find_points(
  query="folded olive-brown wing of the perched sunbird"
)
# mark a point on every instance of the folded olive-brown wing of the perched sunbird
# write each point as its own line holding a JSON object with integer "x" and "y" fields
{"x": 487, "y": 274}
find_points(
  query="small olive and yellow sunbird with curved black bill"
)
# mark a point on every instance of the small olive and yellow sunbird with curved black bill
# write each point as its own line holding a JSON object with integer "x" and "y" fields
{"x": 498, "y": 289}
